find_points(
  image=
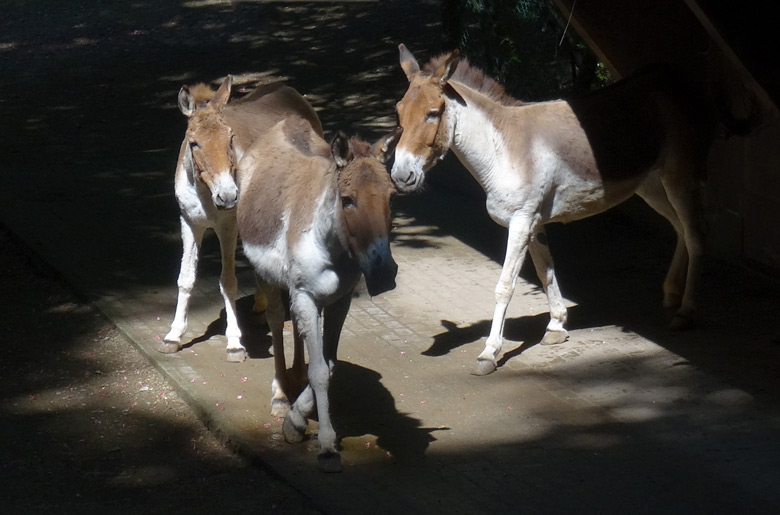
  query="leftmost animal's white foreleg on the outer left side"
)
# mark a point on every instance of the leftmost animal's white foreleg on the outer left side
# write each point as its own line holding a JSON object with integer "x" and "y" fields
{"x": 191, "y": 238}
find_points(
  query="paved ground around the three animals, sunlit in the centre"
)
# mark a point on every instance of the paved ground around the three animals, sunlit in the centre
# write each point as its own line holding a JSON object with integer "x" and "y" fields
{"x": 626, "y": 417}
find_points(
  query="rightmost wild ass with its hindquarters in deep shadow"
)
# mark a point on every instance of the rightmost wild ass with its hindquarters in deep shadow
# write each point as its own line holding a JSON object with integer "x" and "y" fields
{"x": 560, "y": 161}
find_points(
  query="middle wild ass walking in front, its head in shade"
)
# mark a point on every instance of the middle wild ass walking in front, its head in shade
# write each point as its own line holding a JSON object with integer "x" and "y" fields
{"x": 313, "y": 217}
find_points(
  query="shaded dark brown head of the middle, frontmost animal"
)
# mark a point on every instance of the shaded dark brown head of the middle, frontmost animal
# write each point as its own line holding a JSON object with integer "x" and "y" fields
{"x": 365, "y": 189}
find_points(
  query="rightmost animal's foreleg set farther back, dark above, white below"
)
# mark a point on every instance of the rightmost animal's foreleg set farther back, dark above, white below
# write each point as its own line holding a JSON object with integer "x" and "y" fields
{"x": 543, "y": 262}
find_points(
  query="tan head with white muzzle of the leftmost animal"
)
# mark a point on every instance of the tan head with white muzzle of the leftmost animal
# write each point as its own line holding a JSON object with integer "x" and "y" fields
{"x": 209, "y": 141}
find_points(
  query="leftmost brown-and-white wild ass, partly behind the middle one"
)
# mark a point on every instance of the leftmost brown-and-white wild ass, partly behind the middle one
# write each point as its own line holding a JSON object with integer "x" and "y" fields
{"x": 219, "y": 132}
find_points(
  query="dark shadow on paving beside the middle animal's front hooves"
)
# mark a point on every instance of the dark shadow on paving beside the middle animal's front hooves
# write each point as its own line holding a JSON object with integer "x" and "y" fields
{"x": 361, "y": 405}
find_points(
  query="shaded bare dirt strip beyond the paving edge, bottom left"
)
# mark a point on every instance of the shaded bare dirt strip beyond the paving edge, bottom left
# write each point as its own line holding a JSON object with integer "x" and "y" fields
{"x": 87, "y": 425}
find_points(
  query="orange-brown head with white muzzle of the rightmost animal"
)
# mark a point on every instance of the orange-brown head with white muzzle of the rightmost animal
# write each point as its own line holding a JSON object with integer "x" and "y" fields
{"x": 422, "y": 116}
